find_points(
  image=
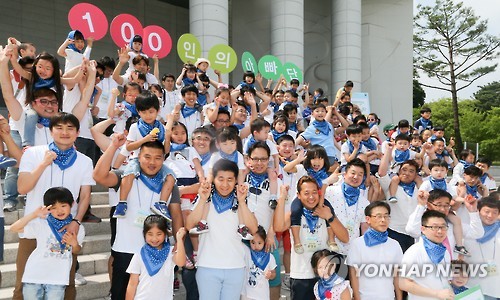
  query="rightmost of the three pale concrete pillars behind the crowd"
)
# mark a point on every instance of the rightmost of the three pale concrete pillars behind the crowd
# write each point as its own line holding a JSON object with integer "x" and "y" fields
{"x": 346, "y": 44}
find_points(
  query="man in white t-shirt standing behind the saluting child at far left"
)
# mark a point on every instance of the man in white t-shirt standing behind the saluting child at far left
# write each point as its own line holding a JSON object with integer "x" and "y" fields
{"x": 46, "y": 166}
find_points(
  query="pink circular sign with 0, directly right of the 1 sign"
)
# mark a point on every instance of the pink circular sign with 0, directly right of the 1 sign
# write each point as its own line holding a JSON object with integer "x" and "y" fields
{"x": 123, "y": 28}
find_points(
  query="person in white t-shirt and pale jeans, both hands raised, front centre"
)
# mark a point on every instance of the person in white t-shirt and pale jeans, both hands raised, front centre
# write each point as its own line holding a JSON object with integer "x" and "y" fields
{"x": 221, "y": 255}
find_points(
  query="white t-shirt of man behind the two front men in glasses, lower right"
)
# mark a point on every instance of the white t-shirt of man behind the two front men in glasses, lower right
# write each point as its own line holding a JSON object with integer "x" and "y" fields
{"x": 401, "y": 210}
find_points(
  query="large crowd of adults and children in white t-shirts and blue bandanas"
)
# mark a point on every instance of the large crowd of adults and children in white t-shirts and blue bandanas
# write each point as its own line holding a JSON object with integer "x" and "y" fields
{"x": 233, "y": 172}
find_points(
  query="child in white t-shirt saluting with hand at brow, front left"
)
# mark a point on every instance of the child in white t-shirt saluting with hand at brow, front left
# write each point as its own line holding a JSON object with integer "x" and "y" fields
{"x": 54, "y": 245}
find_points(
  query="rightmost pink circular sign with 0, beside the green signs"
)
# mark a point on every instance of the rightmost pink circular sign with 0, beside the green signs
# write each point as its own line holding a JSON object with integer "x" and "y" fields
{"x": 156, "y": 41}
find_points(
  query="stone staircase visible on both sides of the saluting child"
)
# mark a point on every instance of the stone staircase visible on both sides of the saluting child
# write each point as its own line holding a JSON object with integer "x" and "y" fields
{"x": 93, "y": 258}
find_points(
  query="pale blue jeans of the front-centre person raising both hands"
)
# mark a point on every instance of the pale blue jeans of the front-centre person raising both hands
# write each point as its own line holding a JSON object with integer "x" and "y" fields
{"x": 220, "y": 284}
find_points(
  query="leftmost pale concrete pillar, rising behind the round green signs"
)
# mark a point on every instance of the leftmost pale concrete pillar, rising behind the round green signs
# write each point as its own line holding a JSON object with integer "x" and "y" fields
{"x": 209, "y": 22}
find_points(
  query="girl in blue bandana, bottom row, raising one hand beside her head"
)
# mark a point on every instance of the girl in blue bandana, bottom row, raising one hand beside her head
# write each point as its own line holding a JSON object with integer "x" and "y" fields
{"x": 152, "y": 268}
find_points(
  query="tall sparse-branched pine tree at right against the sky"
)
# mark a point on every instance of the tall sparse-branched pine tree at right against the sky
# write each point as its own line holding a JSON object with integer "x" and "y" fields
{"x": 451, "y": 45}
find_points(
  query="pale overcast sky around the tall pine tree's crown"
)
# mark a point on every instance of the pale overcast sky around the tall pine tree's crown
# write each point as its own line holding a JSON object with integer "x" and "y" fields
{"x": 485, "y": 9}
